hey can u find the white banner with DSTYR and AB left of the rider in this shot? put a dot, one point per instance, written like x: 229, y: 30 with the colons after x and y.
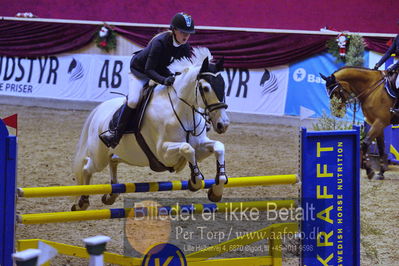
x: 73, y: 77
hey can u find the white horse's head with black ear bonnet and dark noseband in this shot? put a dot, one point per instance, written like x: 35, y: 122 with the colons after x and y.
x: 212, y: 89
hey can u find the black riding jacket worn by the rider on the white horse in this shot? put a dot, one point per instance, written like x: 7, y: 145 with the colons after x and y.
x: 154, y: 59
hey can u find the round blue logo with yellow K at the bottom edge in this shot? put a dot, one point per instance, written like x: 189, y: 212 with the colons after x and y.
x: 164, y: 254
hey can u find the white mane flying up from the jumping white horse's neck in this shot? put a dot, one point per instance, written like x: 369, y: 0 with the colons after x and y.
x: 198, y: 56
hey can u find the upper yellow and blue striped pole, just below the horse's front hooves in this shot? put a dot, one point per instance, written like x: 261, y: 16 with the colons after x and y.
x: 59, y: 191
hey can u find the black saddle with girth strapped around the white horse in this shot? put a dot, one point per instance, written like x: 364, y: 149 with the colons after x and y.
x: 134, y: 127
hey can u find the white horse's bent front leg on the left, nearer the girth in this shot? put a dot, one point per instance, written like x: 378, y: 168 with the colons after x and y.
x: 176, y: 149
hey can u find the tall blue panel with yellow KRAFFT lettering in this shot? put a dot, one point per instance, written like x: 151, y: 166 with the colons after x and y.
x: 330, y: 197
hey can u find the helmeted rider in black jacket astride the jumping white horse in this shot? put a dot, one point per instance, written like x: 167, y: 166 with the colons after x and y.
x: 152, y: 63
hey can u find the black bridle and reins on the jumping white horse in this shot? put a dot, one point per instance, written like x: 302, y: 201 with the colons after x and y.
x: 205, y: 114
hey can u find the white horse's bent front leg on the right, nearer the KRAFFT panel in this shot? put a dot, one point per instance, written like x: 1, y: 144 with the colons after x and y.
x: 215, y: 193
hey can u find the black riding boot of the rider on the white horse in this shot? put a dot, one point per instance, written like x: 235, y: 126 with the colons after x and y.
x: 112, y: 137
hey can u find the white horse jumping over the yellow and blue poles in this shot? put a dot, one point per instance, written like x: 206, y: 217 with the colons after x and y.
x: 173, y: 128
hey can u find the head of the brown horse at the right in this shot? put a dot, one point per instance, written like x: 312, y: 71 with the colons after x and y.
x: 338, y: 95
